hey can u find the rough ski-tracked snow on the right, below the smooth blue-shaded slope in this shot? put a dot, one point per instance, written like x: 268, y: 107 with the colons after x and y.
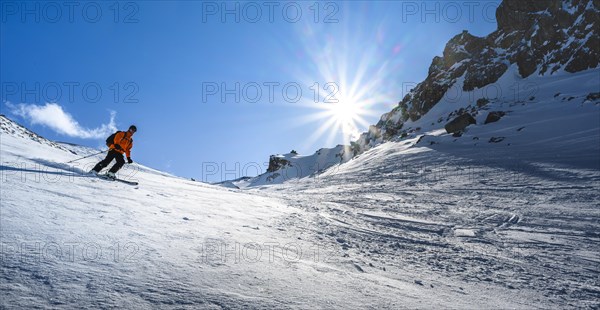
x: 504, y: 229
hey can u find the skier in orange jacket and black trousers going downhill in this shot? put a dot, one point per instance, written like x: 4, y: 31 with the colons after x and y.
x: 121, y: 143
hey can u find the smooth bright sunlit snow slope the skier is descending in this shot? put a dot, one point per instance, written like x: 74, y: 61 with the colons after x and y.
x: 74, y: 241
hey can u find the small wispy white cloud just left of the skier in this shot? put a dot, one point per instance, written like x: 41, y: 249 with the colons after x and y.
x: 53, y: 116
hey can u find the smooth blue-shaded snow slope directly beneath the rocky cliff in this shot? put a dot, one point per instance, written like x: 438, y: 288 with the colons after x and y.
x: 539, y: 112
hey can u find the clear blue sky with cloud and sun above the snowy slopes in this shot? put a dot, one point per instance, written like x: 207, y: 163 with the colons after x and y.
x: 174, y: 69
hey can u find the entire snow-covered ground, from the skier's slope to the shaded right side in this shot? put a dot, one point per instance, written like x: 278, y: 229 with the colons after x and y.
x: 428, y: 221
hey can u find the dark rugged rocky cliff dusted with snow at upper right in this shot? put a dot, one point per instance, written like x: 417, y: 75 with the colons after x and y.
x: 540, y: 37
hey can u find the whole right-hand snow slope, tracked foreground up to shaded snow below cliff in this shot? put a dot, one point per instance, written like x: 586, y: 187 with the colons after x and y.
x: 519, y: 218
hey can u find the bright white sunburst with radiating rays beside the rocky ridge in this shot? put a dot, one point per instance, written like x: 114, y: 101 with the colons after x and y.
x: 353, y: 83
